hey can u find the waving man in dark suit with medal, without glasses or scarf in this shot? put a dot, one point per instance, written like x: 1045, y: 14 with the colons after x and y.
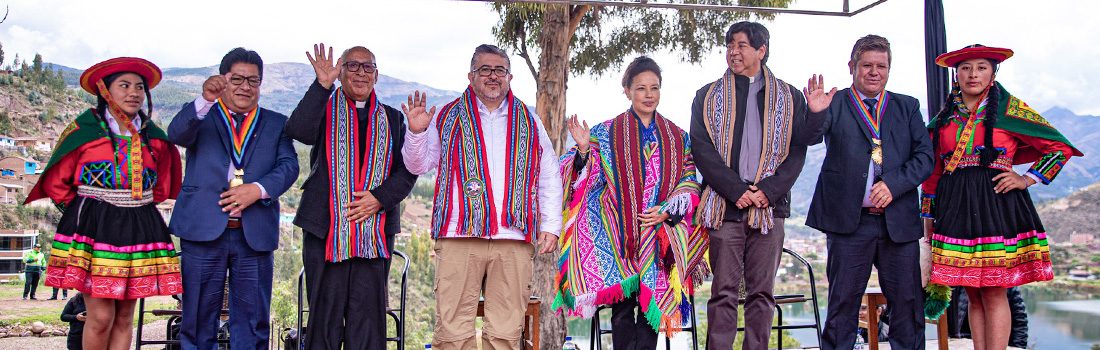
x: 866, y: 202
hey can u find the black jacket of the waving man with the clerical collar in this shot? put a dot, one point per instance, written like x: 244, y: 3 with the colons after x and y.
x: 307, y: 126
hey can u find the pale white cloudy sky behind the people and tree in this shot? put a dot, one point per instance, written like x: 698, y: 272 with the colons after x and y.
x: 431, y: 42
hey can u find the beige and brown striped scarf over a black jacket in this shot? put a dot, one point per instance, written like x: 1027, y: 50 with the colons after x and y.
x: 720, y: 117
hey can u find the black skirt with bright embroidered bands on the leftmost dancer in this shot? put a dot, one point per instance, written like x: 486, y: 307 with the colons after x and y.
x: 107, y: 251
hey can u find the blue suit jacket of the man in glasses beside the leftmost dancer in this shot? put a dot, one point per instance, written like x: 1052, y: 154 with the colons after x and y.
x: 270, y: 161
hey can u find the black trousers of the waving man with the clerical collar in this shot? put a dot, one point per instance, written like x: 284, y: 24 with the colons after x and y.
x: 347, y: 299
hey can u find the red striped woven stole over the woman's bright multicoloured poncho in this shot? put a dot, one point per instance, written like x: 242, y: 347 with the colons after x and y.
x: 629, y: 181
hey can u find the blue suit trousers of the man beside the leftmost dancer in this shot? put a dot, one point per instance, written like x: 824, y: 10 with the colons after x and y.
x: 204, y: 269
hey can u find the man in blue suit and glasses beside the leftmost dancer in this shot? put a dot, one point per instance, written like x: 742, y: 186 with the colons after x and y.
x: 239, y: 162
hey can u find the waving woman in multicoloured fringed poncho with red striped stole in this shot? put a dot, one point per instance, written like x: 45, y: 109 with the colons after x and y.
x: 630, y: 185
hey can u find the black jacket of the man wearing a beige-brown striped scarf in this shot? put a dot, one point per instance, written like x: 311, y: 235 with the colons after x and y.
x: 725, y: 180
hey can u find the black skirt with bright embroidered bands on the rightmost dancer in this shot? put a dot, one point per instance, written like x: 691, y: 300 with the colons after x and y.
x: 985, y: 239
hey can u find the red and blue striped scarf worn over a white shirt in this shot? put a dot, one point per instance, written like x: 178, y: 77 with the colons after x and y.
x: 464, y: 165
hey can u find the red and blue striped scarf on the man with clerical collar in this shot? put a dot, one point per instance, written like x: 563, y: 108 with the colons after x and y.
x: 351, y: 172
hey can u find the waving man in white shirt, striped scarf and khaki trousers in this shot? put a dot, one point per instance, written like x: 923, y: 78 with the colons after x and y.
x: 498, y: 191
